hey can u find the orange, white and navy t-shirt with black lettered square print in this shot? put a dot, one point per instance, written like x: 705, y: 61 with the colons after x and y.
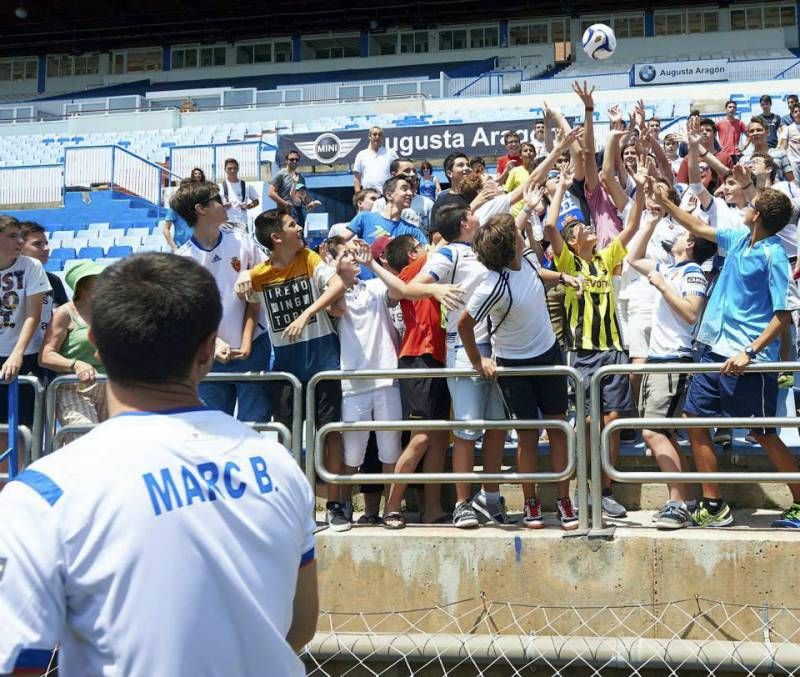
x: 286, y: 293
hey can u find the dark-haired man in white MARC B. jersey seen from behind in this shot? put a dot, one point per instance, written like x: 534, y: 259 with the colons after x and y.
x: 171, y: 539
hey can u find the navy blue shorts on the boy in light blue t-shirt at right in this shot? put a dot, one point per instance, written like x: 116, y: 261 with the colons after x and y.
x: 748, y: 395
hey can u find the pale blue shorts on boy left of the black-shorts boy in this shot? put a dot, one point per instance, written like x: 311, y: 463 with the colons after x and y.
x: 473, y: 398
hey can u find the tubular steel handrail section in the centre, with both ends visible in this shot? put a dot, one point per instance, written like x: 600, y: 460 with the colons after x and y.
x: 580, y: 461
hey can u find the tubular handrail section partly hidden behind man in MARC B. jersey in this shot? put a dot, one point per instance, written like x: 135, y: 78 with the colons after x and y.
x: 296, y: 432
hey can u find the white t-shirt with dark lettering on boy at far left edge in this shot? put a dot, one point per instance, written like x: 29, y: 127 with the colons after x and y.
x: 23, y: 278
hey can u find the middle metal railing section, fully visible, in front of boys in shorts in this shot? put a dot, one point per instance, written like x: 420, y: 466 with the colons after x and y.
x: 575, y: 437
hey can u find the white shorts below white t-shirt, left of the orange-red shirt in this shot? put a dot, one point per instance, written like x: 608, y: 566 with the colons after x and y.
x: 382, y: 404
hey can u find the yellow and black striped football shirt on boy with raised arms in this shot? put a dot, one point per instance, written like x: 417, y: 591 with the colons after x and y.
x: 592, y: 316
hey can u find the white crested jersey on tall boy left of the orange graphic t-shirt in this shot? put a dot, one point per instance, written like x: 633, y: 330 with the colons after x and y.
x: 233, y: 253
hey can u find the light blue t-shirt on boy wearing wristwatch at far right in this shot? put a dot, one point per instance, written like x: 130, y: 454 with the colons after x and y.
x: 751, y: 288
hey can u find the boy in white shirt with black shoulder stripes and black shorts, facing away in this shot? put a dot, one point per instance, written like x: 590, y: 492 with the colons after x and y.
x: 512, y: 298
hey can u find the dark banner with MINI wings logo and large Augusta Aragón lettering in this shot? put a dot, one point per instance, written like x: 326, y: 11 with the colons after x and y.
x: 432, y: 141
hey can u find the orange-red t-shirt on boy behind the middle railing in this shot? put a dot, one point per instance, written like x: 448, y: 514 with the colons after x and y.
x: 424, y: 334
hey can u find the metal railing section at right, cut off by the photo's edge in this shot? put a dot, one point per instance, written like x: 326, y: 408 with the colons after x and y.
x: 601, y: 439
